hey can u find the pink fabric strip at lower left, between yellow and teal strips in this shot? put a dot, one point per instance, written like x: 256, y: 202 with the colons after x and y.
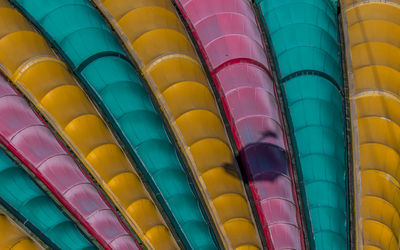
x: 25, y: 135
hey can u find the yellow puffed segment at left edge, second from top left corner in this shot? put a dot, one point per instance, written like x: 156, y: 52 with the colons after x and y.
x: 12, y: 22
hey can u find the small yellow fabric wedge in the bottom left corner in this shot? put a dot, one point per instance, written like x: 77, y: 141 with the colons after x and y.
x: 12, y: 237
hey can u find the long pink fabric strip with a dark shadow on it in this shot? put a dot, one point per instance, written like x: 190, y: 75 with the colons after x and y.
x: 232, y: 45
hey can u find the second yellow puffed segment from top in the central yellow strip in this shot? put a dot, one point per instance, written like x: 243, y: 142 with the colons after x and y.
x: 150, y: 18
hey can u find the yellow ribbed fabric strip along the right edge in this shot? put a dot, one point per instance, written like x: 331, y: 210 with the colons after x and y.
x: 373, y: 30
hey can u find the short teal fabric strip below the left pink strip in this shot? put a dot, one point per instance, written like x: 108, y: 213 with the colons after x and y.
x: 20, y: 192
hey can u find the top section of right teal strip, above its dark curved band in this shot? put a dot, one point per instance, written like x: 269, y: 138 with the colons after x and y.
x: 306, y: 30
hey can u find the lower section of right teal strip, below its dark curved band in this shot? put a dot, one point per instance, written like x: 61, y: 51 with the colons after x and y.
x: 317, y: 115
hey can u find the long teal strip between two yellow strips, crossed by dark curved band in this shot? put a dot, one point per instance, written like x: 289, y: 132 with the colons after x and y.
x: 84, y: 37
